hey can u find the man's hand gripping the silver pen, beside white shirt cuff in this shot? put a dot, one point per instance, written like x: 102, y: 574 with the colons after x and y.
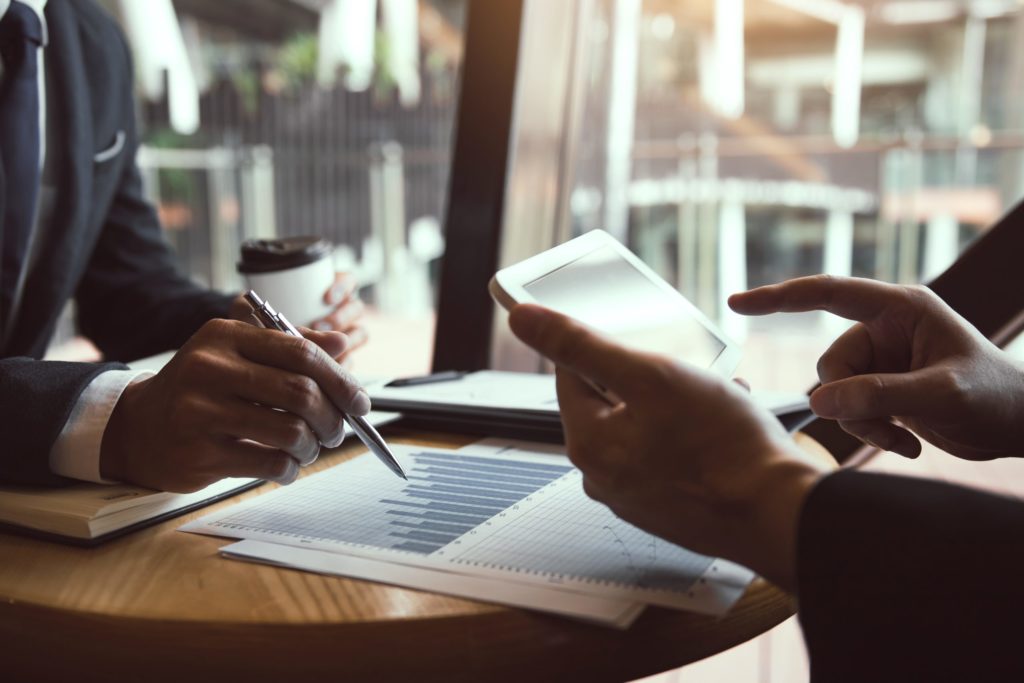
x: 236, y: 401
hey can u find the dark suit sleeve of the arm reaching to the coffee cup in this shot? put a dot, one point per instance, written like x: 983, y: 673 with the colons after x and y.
x: 134, y: 302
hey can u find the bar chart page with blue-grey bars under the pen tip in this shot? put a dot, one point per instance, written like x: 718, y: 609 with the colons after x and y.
x: 447, y: 496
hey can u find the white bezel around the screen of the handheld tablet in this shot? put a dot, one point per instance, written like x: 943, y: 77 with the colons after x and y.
x: 508, y: 287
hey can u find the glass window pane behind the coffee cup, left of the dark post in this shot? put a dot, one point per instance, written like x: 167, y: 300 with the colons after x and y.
x: 327, y: 118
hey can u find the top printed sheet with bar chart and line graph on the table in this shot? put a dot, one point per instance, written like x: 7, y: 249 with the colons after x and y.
x: 518, y: 520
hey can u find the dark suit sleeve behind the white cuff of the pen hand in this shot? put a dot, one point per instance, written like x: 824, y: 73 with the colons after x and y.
x: 46, y: 393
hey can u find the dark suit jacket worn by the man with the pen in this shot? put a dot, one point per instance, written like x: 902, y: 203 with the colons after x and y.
x: 105, y: 247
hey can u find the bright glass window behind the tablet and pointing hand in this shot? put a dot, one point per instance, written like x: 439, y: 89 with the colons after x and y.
x: 735, y: 144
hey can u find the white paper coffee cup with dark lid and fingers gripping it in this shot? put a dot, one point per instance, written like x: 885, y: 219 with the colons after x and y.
x: 297, y: 276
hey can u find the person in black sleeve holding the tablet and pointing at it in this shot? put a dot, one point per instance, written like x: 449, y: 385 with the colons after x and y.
x: 899, y: 579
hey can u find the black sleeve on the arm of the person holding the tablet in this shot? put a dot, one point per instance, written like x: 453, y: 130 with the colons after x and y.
x: 910, y: 580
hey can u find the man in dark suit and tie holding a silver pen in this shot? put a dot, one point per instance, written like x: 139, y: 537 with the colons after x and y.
x: 74, y: 225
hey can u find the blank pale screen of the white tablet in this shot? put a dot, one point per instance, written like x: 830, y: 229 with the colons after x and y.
x: 608, y: 293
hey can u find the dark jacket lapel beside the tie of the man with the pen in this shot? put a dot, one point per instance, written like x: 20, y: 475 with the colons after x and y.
x: 71, y: 154
